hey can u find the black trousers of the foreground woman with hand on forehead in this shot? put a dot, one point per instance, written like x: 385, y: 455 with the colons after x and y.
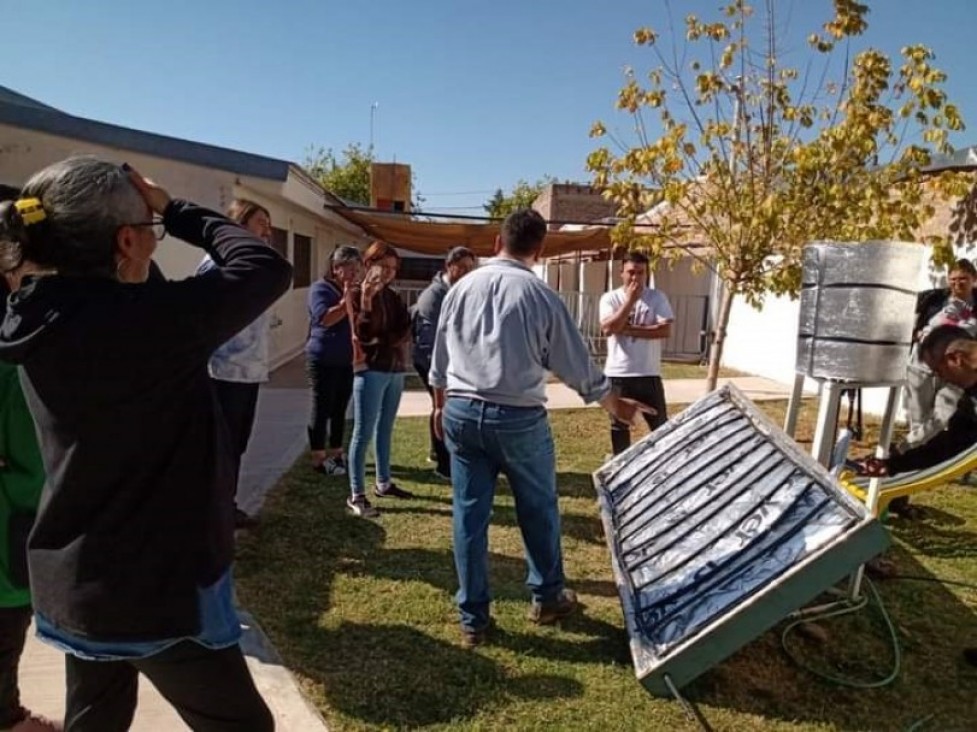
x: 211, y: 690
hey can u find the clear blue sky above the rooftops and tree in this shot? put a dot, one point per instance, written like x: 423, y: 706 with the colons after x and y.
x: 474, y: 96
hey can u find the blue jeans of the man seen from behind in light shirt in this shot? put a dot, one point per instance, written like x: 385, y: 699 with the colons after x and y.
x: 486, y: 439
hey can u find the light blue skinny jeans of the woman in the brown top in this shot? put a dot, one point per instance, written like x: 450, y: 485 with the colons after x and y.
x: 376, y: 397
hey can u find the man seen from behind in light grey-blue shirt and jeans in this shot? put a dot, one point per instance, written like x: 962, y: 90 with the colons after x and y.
x: 501, y: 330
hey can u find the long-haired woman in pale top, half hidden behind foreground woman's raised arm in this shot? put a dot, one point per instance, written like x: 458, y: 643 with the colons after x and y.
x: 239, y: 366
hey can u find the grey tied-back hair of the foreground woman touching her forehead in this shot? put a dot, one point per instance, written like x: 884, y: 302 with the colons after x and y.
x: 85, y: 201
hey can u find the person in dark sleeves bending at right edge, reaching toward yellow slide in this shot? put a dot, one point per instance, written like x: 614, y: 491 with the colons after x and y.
x: 951, y: 352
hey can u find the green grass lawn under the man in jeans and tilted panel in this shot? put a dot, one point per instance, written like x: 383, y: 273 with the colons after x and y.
x: 362, y: 613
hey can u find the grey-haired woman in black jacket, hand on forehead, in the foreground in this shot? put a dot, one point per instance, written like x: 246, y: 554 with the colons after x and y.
x: 130, y: 556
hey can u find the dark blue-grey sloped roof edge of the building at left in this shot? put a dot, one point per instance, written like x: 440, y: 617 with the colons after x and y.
x: 18, y: 110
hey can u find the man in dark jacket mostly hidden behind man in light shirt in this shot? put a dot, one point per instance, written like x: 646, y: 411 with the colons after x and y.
x: 459, y: 262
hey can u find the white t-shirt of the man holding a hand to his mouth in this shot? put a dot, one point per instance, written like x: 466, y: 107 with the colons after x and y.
x: 627, y: 355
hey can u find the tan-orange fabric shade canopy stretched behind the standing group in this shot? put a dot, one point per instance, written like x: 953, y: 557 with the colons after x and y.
x: 436, y: 238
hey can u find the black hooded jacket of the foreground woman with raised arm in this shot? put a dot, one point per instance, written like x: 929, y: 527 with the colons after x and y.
x: 137, y: 512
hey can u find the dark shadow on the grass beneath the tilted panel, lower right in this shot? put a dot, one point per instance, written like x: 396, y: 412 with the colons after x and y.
x: 931, y: 623
